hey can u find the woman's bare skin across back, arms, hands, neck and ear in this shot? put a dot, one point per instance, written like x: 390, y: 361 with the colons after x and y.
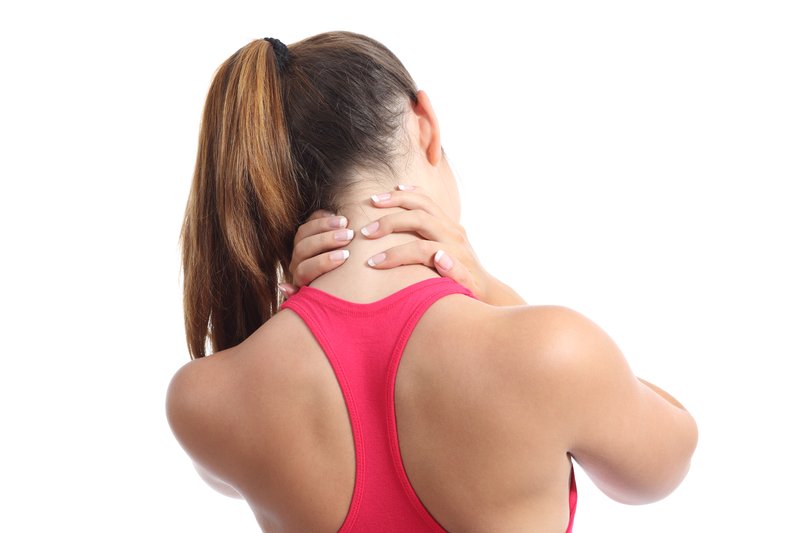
x: 493, y: 397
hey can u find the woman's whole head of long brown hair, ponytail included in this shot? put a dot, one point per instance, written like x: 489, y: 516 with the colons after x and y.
x: 279, y: 140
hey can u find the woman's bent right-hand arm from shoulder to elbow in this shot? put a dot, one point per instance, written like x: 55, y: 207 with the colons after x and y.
x: 634, y: 444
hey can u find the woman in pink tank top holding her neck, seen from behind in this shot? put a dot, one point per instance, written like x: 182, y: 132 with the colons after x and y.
x: 384, y: 396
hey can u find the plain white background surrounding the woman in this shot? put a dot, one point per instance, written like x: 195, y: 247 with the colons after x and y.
x: 637, y: 161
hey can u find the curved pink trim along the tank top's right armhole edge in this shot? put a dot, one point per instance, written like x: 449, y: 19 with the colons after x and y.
x: 394, y: 444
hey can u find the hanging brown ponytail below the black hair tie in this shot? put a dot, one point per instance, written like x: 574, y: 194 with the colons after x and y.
x: 242, y: 211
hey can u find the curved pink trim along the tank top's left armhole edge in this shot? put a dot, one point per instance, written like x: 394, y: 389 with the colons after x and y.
x: 352, y: 410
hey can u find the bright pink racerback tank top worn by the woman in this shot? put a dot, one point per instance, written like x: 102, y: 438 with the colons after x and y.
x: 364, y: 344
